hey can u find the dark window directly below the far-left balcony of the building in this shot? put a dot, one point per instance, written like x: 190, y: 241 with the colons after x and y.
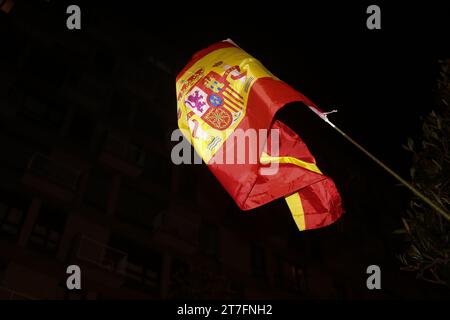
x: 47, y: 230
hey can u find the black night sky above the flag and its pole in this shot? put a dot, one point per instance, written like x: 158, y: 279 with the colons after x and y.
x: 381, y: 81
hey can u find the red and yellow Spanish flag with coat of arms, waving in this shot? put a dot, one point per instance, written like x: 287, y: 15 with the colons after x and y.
x: 226, y: 102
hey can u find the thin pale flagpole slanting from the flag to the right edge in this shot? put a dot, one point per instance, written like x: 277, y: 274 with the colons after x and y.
x: 381, y: 164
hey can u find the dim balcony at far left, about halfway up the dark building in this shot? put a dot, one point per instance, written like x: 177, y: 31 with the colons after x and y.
x: 50, y: 178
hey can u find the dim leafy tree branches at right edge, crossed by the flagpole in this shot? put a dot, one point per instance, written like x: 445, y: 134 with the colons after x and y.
x: 426, y: 233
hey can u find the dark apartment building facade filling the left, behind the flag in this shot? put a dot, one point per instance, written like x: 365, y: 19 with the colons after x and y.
x: 86, y: 179
